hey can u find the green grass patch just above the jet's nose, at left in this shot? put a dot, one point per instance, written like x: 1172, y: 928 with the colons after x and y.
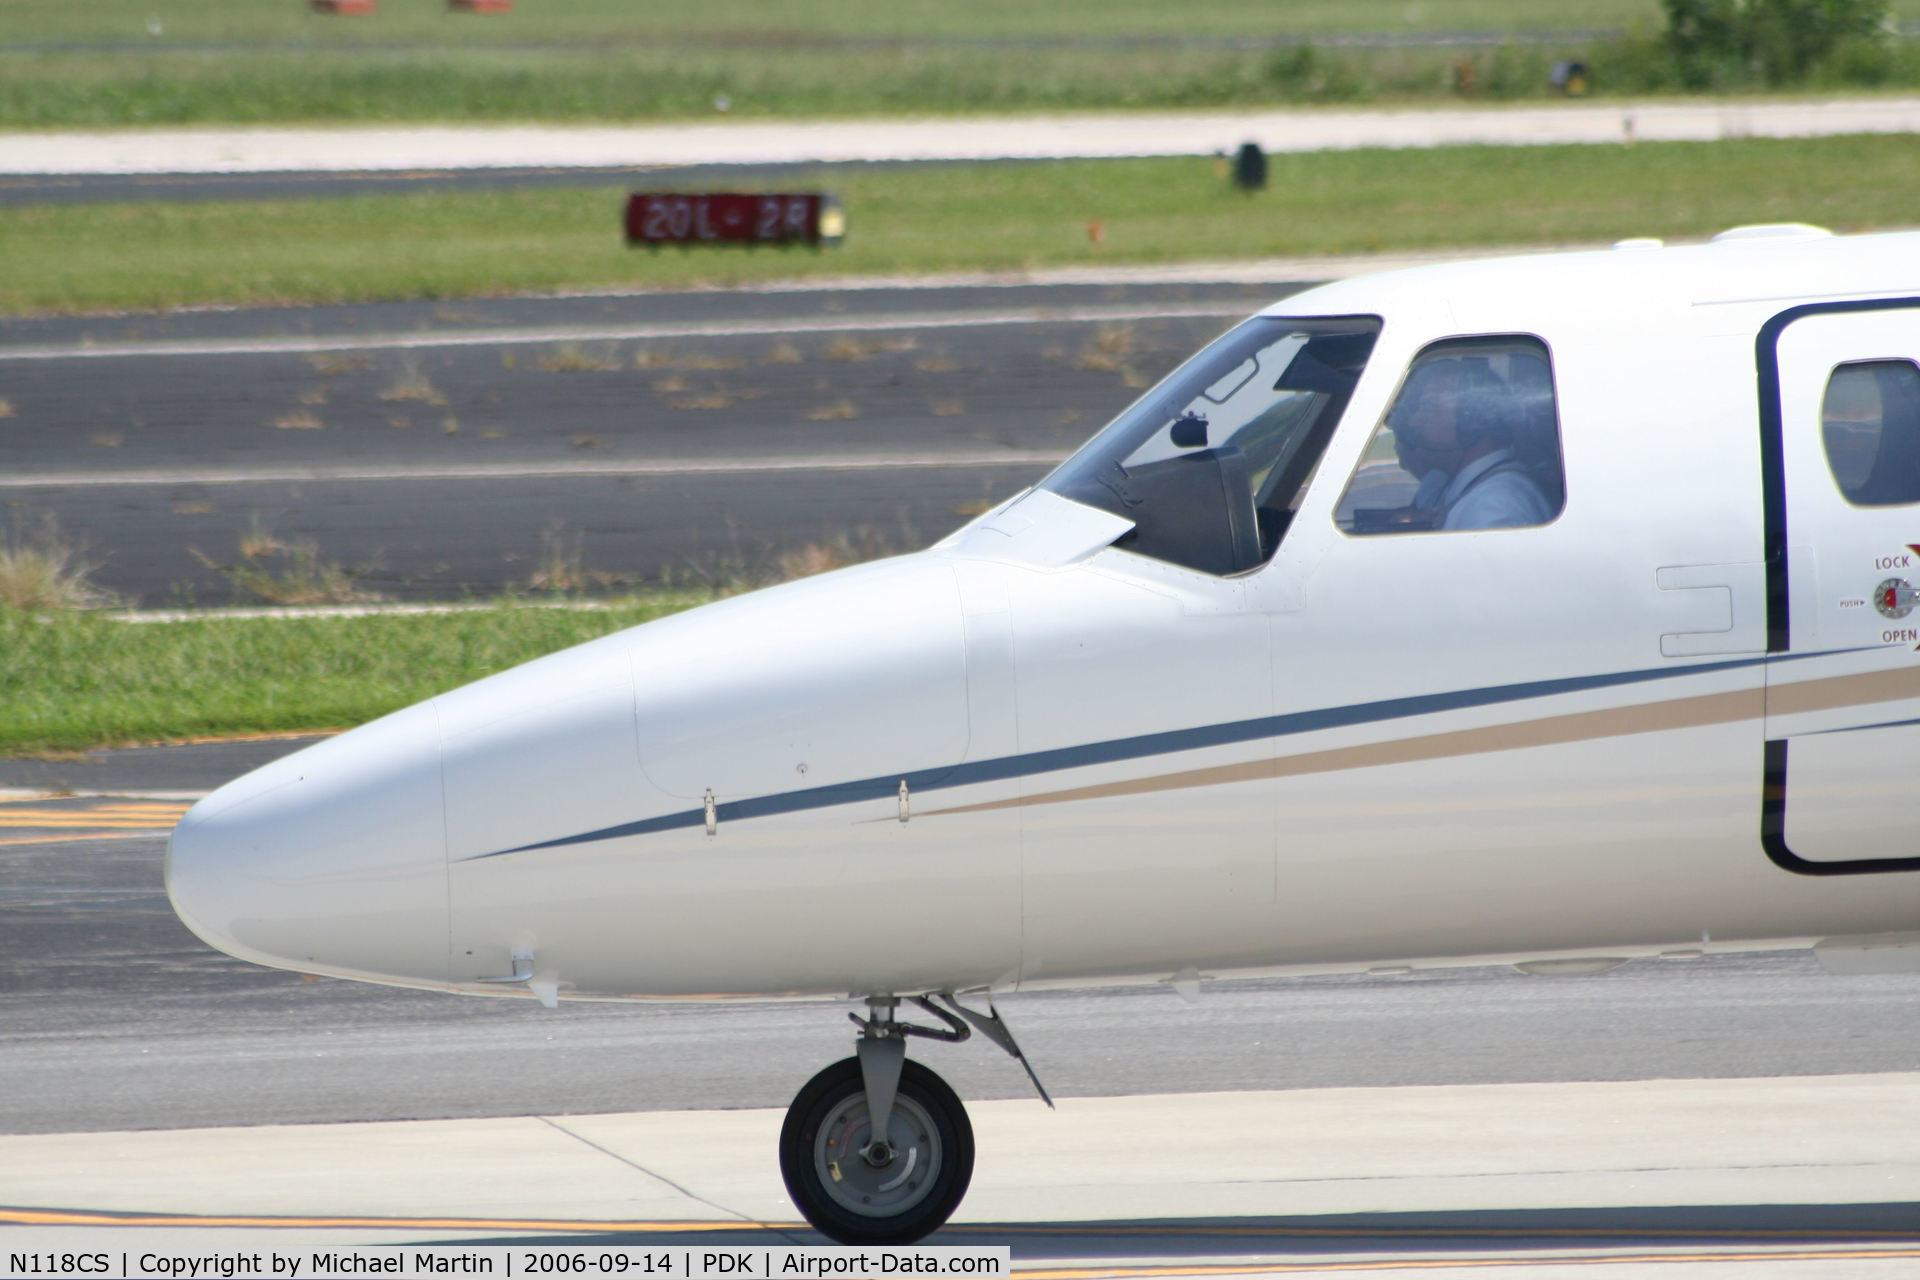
x: 70, y: 680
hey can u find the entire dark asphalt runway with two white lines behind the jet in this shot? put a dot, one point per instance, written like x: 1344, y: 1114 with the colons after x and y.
x: 494, y: 454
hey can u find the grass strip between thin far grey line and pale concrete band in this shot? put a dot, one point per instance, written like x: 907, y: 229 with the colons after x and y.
x: 671, y: 82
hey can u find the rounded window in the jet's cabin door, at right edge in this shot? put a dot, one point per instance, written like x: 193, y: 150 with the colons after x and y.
x: 1871, y: 425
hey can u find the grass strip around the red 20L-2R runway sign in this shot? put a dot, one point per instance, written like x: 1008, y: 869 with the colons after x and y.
x: 961, y: 218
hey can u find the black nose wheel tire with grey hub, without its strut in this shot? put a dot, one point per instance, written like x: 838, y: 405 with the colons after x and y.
x: 859, y: 1187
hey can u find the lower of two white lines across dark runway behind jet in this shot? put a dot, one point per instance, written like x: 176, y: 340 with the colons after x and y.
x: 527, y: 471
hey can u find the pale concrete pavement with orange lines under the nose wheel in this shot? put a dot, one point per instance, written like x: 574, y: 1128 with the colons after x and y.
x: 1510, y: 1175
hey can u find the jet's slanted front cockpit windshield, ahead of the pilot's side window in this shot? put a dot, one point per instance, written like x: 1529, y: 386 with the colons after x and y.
x: 1212, y: 463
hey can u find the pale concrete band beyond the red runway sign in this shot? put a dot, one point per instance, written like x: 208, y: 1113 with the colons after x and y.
x: 1034, y: 137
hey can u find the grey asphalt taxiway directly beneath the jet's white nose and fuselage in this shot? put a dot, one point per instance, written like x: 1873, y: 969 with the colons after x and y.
x: 118, y: 1018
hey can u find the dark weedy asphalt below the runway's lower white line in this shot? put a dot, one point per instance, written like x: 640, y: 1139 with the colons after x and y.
x: 435, y: 540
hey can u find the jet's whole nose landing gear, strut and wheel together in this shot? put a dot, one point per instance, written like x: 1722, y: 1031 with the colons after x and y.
x: 878, y: 1149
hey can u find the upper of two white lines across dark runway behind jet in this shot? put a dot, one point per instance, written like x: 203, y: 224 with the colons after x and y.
x: 625, y: 333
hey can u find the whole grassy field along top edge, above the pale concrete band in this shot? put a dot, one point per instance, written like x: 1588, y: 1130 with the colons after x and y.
x: 143, y: 62
